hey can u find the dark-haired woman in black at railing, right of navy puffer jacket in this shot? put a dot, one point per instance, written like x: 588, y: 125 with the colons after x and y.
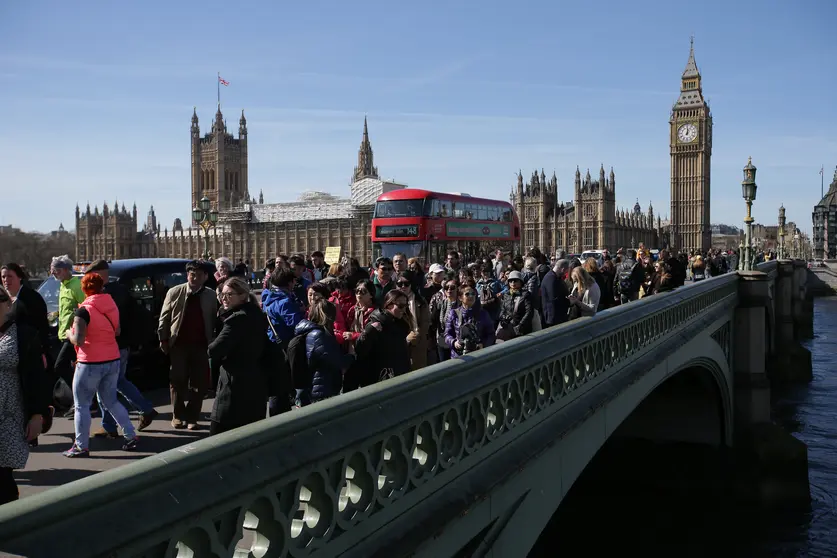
x: 382, y: 347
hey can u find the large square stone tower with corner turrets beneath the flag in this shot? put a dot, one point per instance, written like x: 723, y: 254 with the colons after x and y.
x: 219, y: 163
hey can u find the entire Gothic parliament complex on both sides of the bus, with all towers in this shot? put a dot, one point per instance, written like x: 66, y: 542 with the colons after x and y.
x: 252, y: 229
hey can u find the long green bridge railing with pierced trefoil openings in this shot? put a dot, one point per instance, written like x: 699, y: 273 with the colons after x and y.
x: 330, y: 478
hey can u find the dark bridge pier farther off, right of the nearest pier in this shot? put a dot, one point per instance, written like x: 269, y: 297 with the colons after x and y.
x: 791, y: 362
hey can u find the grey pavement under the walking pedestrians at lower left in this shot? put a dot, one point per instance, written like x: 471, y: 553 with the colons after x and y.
x: 47, y: 468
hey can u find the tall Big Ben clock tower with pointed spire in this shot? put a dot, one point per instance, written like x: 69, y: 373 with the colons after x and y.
x: 691, y: 151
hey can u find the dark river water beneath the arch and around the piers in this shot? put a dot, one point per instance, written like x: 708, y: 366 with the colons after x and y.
x: 682, y: 500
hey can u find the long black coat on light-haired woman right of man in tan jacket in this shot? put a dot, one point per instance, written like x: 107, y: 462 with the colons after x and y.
x: 243, y: 383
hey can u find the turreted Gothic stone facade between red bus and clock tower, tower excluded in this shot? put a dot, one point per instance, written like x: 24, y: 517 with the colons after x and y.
x: 590, y: 222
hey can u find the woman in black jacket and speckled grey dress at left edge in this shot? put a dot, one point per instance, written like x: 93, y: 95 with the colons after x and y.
x: 25, y: 395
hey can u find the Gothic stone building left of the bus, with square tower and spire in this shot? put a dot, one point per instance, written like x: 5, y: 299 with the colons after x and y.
x: 247, y: 230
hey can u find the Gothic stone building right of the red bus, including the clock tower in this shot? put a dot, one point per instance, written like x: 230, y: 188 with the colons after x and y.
x: 591, y: 220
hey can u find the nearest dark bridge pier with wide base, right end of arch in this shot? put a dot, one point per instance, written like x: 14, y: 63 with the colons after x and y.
x: 774, y: 464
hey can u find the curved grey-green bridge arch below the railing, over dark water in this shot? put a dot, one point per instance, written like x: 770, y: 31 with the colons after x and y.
x: 534, y: 494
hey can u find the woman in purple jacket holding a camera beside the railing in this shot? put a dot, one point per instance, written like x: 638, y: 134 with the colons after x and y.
x: 468, y: 328
